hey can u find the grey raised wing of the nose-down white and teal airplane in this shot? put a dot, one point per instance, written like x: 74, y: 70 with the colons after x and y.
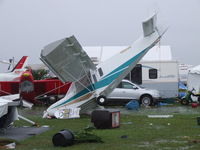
x: 67, y: 60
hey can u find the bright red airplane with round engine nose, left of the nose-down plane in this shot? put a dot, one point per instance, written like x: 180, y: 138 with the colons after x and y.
x: 35, y: 91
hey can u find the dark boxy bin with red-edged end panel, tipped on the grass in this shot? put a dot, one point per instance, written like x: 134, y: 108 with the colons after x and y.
x: 106, y: 118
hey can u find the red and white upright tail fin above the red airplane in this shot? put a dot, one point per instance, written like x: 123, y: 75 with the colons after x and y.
x: 21, y: 65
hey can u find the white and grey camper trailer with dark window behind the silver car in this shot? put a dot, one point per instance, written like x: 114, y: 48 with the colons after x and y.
x: 159, y: 75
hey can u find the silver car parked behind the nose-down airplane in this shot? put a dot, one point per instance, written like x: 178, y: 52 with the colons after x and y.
x: 127, y: 91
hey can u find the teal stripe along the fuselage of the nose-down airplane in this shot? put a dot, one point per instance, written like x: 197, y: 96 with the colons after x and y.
x: 106, y: 80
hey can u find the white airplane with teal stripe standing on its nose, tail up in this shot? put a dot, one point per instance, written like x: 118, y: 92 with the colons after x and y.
x: 70, y: 63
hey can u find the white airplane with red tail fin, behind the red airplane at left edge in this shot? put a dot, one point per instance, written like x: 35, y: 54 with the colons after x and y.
x: 17, y: 71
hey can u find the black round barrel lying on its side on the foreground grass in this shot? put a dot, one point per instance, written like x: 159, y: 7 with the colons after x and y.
x: 63, y: 138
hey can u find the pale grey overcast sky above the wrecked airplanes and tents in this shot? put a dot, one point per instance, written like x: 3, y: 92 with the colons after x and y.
x: 26, y: 26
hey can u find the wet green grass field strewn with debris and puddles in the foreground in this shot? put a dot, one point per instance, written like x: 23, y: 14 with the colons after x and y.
x: 180, y: 132
